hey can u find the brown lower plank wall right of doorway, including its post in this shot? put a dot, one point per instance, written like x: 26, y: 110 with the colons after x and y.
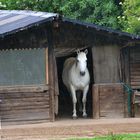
x: 108, y: 101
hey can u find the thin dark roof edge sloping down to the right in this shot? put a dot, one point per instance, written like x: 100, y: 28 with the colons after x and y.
x: 102, y: 28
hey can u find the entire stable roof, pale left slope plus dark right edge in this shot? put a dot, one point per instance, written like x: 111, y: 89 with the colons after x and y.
x: 12, y: 21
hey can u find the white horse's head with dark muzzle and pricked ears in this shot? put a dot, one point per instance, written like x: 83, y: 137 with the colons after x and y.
x: 81, y: 61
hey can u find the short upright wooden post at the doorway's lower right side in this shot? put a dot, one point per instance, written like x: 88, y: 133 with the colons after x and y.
x: 96, y: 104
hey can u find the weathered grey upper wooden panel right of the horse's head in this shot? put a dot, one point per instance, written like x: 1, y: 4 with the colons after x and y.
x: 106, y: 64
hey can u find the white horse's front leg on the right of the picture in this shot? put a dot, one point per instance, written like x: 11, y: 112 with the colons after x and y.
x: 84, y: 99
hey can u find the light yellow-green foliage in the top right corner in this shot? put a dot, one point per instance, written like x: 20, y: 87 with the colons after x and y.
x: 131, y: 16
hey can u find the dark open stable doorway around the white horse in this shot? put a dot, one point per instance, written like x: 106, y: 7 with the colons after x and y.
x: 65, y: 101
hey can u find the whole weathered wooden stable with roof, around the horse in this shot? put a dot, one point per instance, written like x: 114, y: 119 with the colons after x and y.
x: 33, y: 48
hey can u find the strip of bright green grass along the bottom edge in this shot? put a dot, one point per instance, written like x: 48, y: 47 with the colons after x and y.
x: 113, y: 137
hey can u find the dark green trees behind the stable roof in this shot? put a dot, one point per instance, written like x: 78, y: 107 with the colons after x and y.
x: 102, y: 12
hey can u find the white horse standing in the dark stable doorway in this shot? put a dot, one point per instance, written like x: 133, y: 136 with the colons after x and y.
x: 76, y: 77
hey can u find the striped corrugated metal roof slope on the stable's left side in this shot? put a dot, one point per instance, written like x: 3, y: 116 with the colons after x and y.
x: 16, y: 20
